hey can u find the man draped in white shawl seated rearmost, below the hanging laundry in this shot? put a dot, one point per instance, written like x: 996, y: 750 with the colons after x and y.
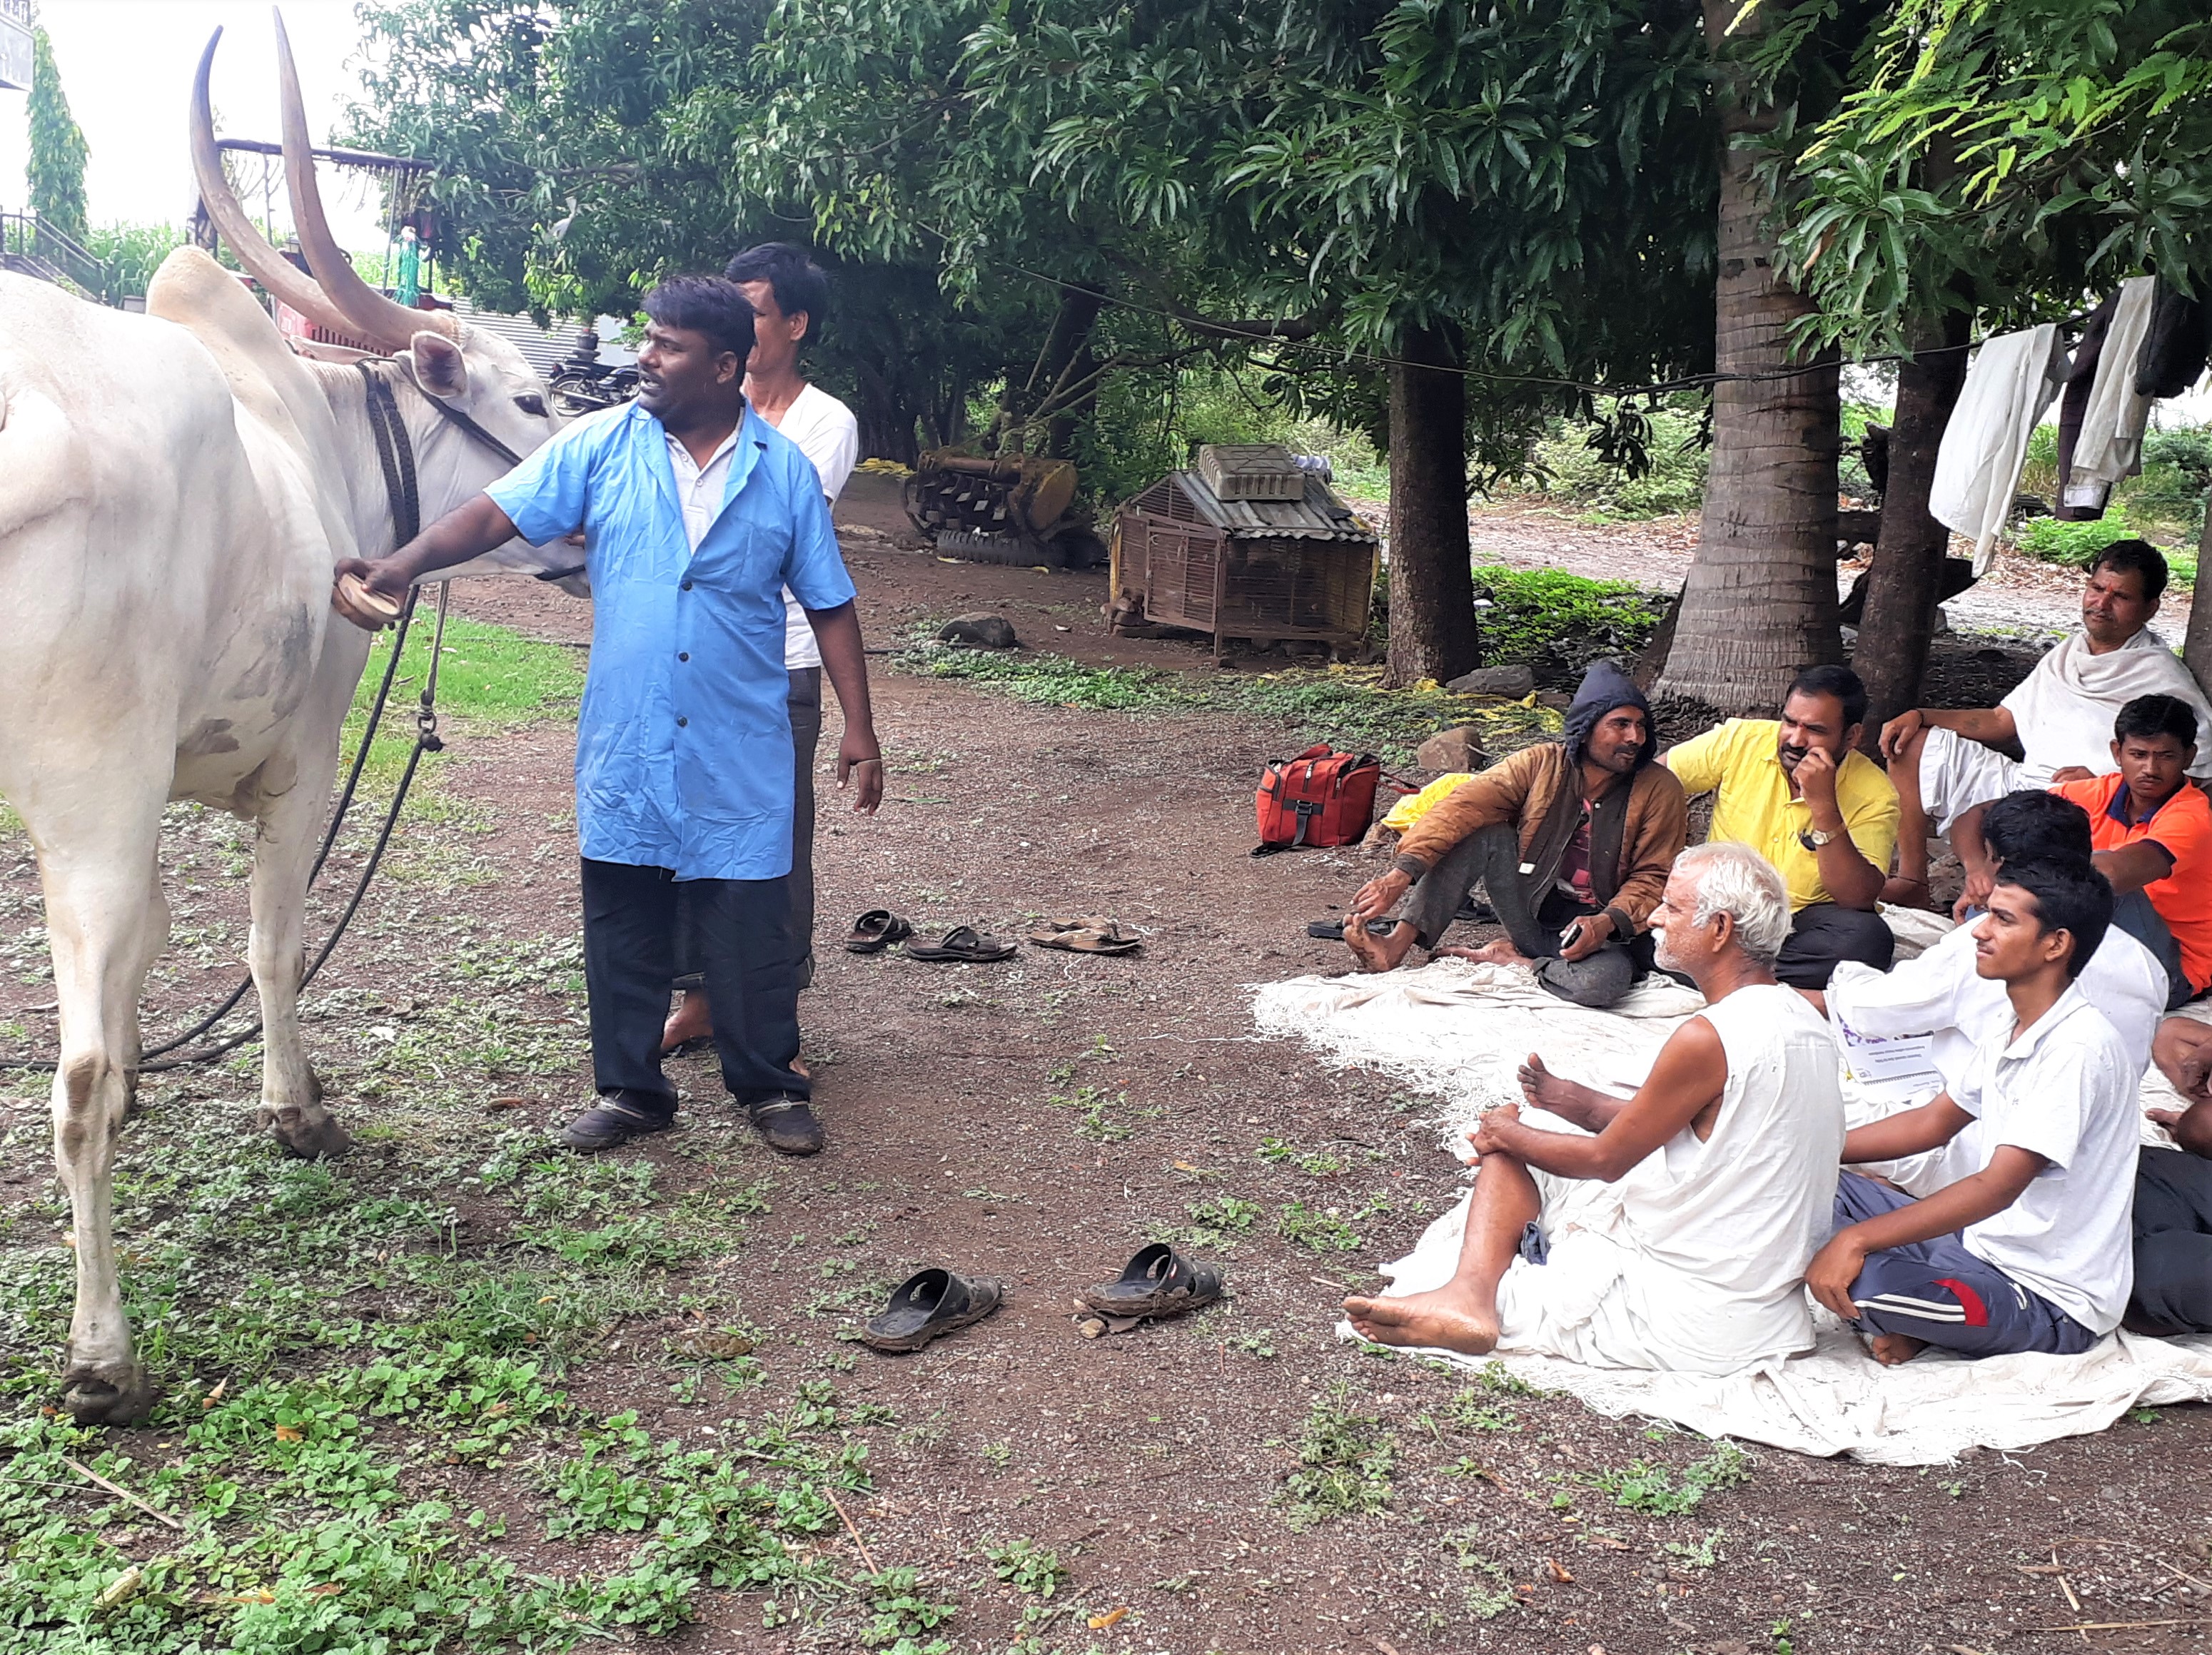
x: 2060, y: 716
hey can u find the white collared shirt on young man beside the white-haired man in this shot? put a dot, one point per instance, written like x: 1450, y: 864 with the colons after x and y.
x: 2065, y: 1092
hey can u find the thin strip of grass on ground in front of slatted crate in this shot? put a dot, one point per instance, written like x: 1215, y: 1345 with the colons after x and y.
x: 1342, y: 705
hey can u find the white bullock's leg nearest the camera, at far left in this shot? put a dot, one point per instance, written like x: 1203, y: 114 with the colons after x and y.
x: 105, y: 930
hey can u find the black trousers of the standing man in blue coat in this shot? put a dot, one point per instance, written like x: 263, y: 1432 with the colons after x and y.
x: 744, y: 937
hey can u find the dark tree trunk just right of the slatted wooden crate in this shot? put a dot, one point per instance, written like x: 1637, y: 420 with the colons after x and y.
x: 1432, y: 581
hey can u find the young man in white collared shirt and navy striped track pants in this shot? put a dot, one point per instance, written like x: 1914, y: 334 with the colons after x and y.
x: 2032, y: 1251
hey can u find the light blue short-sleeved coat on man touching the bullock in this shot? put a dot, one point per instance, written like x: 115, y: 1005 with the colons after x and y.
x: 685, y: 745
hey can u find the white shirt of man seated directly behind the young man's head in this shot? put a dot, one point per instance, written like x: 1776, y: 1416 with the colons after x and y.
x: 1941, y: 995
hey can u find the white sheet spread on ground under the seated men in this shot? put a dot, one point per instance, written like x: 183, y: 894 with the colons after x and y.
x: 1459, y: 1032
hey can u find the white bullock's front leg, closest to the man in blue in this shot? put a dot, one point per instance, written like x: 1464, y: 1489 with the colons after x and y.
x: 284, y: 849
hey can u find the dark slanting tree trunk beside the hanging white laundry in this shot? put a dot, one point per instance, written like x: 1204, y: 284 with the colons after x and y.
x: 1908, y: 559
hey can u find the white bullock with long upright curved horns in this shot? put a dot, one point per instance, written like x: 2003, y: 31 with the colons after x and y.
x: 174, y: 495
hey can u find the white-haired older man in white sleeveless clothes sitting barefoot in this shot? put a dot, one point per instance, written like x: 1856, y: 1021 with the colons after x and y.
x: 1671, y: 1229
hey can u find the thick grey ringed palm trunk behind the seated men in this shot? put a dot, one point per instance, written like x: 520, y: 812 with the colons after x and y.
x: 1762, y: 596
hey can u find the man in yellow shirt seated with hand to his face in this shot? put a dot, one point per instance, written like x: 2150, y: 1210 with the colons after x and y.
x: 1802, y: 795
